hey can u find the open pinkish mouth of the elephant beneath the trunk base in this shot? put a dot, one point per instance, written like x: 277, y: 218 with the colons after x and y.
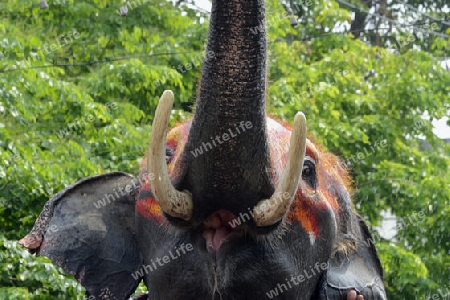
x: 220, y: 228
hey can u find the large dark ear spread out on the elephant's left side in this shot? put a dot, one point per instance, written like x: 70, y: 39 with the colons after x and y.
x: 88, y: 229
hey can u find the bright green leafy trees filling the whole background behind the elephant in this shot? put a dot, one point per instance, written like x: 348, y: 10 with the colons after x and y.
x: 79, y: 84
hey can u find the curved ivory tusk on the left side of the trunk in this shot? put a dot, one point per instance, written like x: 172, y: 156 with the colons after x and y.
x: 174, y: 203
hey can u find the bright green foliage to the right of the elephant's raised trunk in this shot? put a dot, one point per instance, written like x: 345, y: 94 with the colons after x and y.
x: 352, y: 115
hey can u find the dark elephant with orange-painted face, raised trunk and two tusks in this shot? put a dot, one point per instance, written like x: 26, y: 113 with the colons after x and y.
x: 229, y: 205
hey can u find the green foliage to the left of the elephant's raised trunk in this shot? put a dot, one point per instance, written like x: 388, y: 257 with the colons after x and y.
x: 59, y: 125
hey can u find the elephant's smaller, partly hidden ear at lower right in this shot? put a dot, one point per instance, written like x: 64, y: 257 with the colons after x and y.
x: 359, y: 270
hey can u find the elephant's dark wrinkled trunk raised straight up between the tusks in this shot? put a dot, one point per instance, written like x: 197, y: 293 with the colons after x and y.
x: 229, y: 126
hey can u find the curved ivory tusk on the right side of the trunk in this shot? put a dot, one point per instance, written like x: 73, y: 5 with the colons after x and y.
x: 270, y: 211
